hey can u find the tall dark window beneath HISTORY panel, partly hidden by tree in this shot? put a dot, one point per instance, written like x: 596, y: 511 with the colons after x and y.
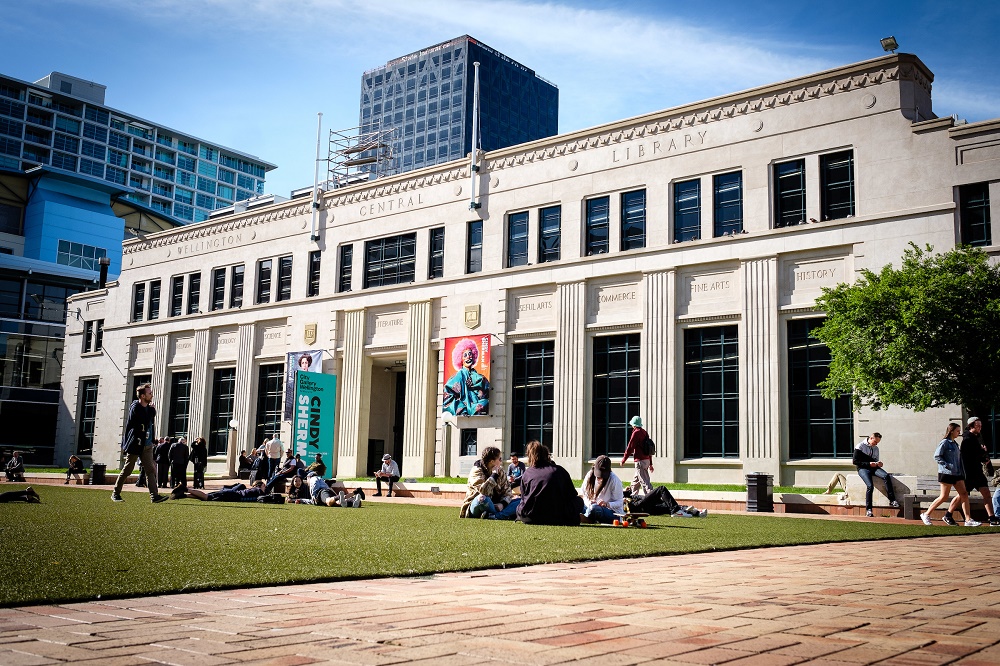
x: 818, y: 427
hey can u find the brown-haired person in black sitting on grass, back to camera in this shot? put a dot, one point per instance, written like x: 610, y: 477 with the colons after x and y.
x: 548, y: 496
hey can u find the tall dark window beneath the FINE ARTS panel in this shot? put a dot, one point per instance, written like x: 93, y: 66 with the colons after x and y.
x: 711, y: 393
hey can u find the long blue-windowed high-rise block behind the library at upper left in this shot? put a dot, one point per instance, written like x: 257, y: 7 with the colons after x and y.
x: 62, y: 121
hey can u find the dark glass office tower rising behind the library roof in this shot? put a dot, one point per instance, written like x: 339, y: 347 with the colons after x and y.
x: 426, y: 100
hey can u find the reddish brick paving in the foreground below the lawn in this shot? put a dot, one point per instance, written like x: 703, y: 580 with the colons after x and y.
x: 920, y: 602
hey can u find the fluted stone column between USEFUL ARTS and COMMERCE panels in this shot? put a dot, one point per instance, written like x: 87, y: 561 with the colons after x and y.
x: 571, y: 372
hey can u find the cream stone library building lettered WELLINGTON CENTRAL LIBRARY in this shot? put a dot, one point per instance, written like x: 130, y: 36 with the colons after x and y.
x: 666, y: 265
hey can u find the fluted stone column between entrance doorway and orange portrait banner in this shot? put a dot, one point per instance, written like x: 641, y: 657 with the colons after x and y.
x: 421, y: 377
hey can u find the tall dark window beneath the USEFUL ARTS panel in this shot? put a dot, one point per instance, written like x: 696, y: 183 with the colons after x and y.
x: 534, y: 399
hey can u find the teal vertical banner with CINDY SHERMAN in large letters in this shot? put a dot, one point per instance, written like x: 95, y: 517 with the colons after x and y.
x: 315, y: 409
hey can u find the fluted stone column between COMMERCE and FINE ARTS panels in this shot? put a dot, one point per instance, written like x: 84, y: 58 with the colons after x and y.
x: 655, y: 392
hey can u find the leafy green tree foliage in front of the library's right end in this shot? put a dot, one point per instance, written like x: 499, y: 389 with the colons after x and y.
x: 923, y: 335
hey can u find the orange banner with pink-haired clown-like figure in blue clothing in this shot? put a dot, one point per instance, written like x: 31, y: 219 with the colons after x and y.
x: 467, y: 375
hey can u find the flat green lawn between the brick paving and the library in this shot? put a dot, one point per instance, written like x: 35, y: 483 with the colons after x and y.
x: 78, y: 545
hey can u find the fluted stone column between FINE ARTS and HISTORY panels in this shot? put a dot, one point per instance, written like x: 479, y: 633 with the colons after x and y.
x: 760, y: 428
